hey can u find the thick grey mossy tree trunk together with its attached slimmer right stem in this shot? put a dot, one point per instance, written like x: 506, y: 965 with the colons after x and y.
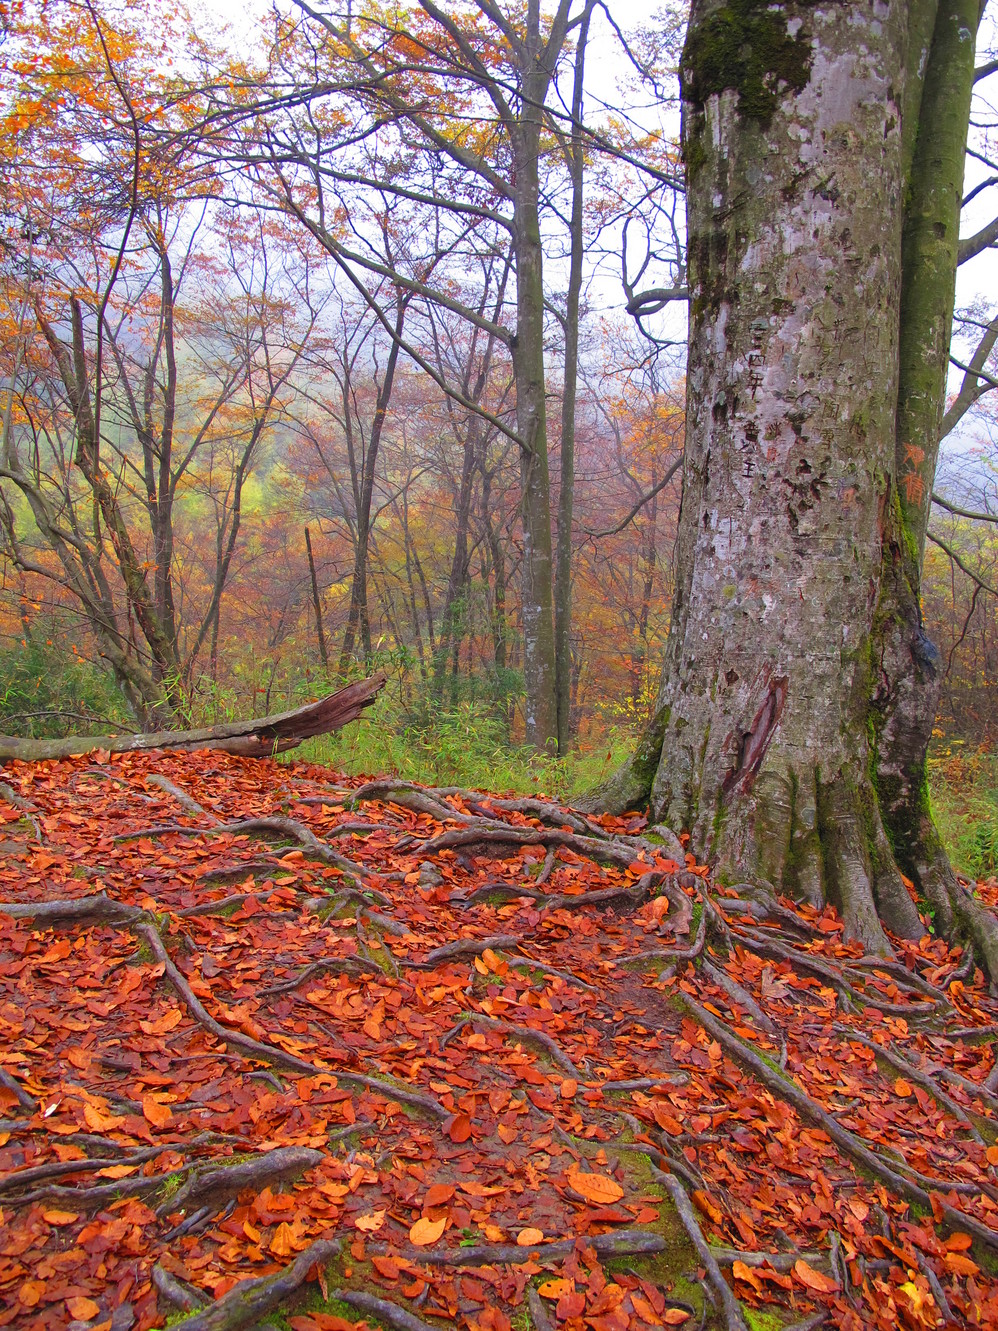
x: 824, y: 152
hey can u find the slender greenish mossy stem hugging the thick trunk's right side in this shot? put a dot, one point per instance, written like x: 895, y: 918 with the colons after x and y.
x: 910, y: 666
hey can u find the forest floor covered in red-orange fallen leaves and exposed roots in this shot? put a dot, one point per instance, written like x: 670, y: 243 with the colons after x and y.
x: 284, y: 1049
